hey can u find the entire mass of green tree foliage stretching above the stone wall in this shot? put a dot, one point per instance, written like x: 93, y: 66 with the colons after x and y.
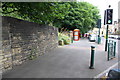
x: 70, y: 15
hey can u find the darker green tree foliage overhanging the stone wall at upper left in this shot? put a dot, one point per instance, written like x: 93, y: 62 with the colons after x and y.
x: 40, y: 12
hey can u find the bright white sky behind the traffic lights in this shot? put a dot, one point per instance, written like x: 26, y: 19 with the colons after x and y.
x: 103, y: 5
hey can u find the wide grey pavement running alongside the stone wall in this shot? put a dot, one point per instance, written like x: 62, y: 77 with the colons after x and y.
x: 69, y: 61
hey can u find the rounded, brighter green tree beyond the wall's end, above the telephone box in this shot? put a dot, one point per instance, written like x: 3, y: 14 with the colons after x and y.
x: 81, y: 15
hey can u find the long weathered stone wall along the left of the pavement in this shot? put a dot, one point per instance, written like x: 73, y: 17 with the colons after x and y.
x: 23, y: 40
